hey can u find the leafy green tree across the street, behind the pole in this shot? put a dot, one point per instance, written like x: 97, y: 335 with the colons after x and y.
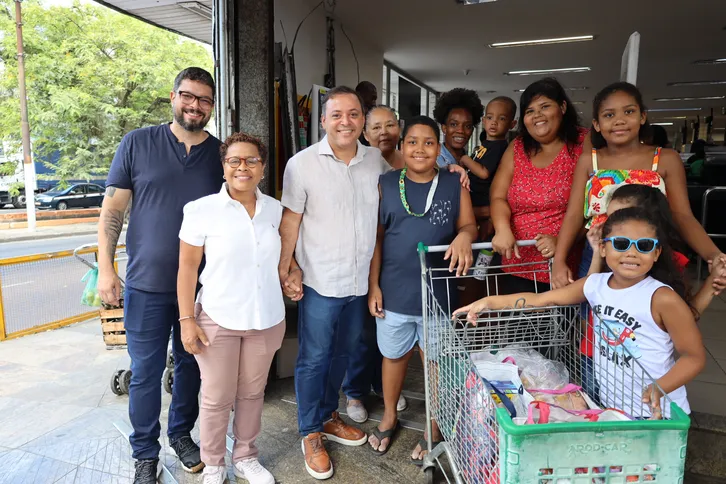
x: 92, y: 76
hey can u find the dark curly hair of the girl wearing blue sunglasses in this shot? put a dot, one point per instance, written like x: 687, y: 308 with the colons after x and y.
x: 664, y: 269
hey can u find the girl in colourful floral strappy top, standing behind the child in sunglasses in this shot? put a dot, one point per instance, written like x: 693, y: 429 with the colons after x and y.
x: 621, y: 155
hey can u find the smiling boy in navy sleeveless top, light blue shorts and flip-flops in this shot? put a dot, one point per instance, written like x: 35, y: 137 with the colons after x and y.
x: 419, y: 203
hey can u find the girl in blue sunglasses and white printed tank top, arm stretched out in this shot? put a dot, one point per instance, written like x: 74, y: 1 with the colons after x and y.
x: 646, y: 286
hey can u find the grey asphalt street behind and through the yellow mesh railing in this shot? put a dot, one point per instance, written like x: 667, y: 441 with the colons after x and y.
x: 46, y: 290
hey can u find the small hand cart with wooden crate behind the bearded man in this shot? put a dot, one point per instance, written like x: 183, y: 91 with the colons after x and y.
x: 114, y: 333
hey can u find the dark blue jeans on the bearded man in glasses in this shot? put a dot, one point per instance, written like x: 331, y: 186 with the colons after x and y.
x: 149, y: 320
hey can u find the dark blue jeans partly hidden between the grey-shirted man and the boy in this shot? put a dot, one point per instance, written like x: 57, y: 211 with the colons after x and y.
x: 364, y: 365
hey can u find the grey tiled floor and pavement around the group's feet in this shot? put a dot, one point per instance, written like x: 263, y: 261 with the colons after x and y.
x: 57, y: 415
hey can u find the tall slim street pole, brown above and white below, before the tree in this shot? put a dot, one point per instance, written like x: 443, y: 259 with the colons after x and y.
x: 25, y: 127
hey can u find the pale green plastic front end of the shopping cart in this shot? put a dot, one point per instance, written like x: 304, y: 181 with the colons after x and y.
x: 593, y: 452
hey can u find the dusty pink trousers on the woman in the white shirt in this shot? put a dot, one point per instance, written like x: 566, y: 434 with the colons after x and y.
x: 234, y: 369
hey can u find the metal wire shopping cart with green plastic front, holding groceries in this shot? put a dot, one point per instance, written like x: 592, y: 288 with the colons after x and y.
x: 485, y: 445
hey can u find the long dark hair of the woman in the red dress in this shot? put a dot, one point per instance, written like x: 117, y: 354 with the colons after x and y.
x: 549, y: 87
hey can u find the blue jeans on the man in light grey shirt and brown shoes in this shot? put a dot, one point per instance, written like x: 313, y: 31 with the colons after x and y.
x: 329, y: 330
